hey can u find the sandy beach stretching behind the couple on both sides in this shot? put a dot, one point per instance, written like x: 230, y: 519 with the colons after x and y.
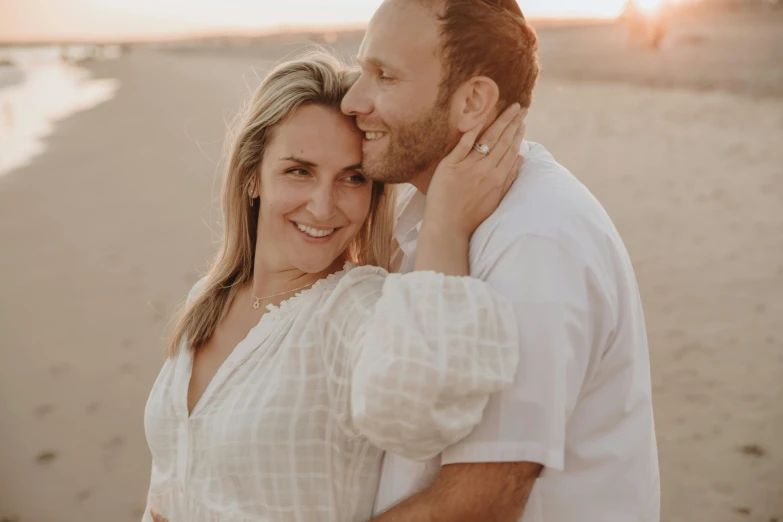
x: 103, y: 234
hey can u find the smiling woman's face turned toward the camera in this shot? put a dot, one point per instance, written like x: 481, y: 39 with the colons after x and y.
x: 314, y: 198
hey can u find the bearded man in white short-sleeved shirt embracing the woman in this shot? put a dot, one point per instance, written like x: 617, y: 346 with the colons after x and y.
x: 574, y: 440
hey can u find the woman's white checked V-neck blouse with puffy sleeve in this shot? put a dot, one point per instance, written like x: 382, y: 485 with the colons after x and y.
x: 293, y: 425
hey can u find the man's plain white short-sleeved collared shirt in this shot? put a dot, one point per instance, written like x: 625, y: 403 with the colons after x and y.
x: 581, y: 404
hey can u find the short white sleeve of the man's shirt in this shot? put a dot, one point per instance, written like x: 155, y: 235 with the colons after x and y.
x: 551, y: 289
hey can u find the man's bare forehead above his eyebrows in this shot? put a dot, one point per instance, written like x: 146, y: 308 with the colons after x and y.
x: 402, y: 32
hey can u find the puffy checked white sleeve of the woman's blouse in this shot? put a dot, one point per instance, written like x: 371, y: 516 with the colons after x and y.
x: 424, y: 352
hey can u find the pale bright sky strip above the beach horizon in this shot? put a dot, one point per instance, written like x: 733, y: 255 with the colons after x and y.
x: 118, y: 19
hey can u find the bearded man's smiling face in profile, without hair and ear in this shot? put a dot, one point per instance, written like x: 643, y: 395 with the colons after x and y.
x: 407, y: 131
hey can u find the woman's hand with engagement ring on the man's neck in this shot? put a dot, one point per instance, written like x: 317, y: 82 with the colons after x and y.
x: 468, y: 186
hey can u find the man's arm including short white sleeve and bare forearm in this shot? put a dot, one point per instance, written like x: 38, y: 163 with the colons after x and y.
x: 489, y: 475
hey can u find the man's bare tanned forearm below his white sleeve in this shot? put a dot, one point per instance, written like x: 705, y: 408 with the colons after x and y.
x: 486, y: 492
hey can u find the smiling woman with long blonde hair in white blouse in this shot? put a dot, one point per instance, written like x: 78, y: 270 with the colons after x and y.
x: 272, y: 407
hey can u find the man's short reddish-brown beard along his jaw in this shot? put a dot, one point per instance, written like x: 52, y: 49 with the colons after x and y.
x: 413, y: 148
